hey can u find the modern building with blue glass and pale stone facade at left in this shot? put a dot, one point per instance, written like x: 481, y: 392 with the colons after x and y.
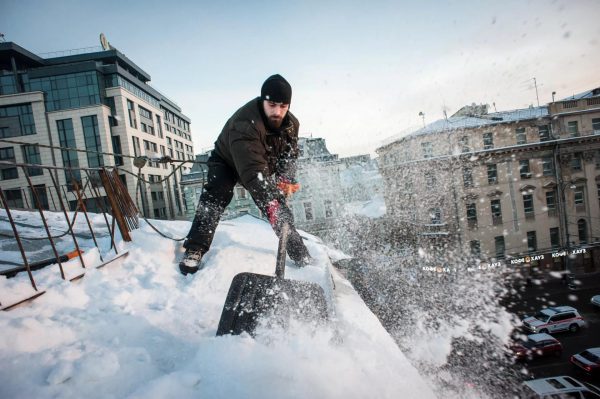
x: 99, y: 101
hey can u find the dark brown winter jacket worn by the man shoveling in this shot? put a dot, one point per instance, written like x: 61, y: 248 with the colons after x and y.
x: 256, y: 153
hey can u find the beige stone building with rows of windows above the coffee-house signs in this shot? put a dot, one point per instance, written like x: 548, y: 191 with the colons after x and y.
x: 518, y: 186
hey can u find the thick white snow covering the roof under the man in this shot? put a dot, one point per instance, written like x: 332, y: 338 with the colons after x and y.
x: 139, y: 329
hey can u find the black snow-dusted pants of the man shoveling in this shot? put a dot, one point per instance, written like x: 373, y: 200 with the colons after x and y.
x: 218, y: 193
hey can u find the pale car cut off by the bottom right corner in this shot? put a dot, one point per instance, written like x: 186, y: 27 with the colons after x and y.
x: 559, y: 387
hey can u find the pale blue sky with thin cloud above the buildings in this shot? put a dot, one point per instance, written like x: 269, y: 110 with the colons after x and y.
x: 361, y: 71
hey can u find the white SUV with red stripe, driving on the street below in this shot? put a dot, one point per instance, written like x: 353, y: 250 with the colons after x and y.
x: 554, y: 319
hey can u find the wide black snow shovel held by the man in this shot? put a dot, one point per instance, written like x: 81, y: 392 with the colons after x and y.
x: 253, y: 297
